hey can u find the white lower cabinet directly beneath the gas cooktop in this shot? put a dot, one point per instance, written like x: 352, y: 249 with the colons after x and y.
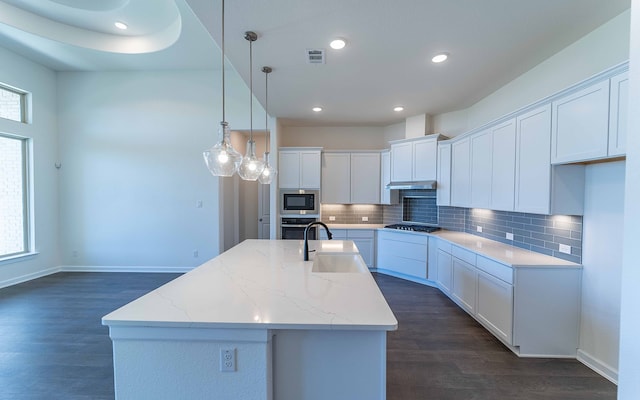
x: 403, y: 253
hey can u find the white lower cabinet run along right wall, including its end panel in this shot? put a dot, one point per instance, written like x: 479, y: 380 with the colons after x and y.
x: 534, y: 310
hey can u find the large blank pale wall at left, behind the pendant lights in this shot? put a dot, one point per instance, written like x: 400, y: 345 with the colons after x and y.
x: 132, y: 169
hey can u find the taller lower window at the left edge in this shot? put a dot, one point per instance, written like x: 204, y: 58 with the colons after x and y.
x: 14, y: 203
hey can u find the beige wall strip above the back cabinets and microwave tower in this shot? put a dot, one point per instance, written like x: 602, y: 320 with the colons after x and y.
x: 334, y: 137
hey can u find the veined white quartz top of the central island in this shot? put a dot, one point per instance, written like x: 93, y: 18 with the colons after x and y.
x: 264, y: 284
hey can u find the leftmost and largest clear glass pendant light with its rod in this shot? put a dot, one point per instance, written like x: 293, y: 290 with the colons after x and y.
x: 222, y: 159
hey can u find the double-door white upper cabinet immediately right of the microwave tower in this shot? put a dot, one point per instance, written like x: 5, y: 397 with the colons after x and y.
x: 351, y: 178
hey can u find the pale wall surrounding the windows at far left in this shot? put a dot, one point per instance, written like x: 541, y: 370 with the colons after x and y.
x: 41, y: 83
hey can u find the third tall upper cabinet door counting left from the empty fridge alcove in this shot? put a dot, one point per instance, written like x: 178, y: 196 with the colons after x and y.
x: 481, y: 145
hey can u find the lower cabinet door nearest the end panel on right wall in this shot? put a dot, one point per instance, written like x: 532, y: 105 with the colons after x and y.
x: 495, y: 306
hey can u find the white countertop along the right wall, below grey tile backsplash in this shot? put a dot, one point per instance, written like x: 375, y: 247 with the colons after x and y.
x: 502, y: 253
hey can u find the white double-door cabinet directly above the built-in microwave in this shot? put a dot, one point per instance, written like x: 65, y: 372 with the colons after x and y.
x: 299, y: 168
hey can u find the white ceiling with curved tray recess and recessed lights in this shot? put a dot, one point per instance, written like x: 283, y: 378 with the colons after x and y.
x: 386, y: 61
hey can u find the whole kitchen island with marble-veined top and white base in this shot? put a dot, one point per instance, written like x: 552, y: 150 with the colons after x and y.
x: 258, y: 310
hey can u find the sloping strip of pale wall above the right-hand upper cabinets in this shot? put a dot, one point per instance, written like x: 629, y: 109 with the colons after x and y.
x: 604, y: 47
